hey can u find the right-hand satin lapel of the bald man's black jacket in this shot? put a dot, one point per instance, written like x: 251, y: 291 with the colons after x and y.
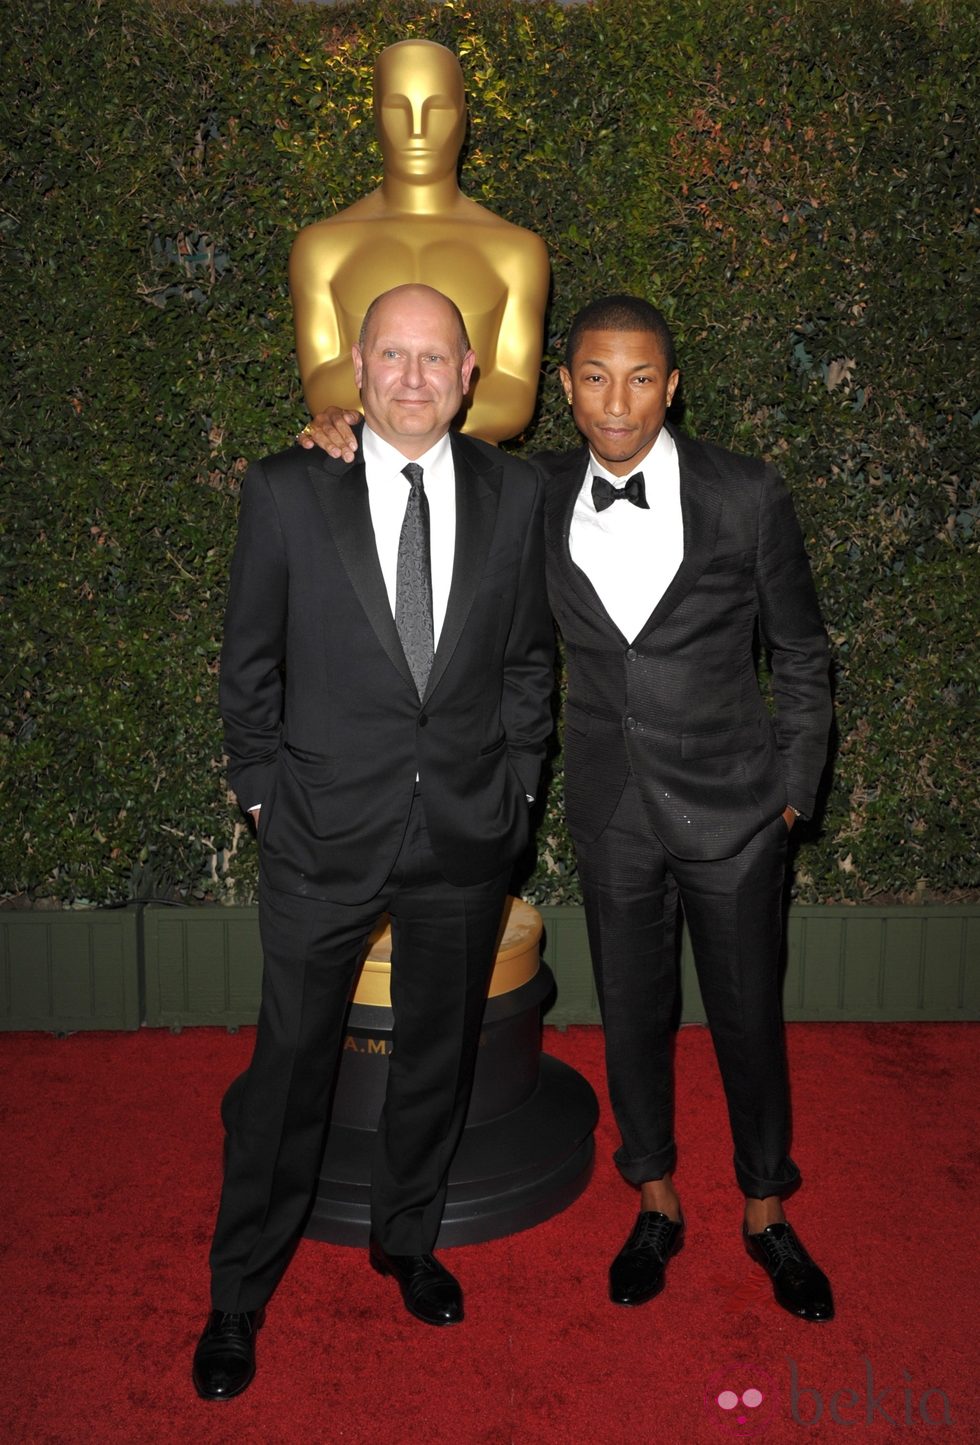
x: 478, y: 495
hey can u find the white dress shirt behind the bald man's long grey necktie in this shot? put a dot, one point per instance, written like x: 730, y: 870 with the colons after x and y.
x: 388, y: 492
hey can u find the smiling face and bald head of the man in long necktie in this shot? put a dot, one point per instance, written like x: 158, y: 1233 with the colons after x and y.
x: 413, y: 368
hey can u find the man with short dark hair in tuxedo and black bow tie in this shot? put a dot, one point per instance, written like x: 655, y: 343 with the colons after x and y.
x: 667, y: 560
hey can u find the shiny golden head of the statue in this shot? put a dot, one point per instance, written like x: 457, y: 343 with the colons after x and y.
x: 420, y: 111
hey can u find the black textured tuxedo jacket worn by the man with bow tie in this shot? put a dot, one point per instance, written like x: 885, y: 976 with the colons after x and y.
x: 680, y: 704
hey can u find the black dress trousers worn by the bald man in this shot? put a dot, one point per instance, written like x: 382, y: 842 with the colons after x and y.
x: 443, y: 950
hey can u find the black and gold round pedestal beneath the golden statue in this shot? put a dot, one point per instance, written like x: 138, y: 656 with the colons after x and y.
x: 527, y: 1151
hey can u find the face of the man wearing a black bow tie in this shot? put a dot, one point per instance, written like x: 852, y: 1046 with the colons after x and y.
x: 621, y: 389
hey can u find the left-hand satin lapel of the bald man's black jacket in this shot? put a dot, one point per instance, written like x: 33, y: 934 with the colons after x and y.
x: 342, y: 492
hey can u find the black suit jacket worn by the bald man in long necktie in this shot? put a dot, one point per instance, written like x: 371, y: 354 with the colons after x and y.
x: 324, y: 726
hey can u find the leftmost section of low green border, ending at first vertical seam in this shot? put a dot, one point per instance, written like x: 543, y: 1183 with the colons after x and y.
x: 69, y: 970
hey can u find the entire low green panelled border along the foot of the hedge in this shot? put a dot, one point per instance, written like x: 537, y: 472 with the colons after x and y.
x: 93, y: 970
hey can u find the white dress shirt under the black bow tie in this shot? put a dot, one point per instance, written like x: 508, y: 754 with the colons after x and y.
x: 627, y: 553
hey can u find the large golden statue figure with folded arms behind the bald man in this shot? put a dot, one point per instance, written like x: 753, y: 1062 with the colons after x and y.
x: 420, y: 228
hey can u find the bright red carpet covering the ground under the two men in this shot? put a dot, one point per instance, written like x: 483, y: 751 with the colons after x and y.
x: 111, y: 1163
